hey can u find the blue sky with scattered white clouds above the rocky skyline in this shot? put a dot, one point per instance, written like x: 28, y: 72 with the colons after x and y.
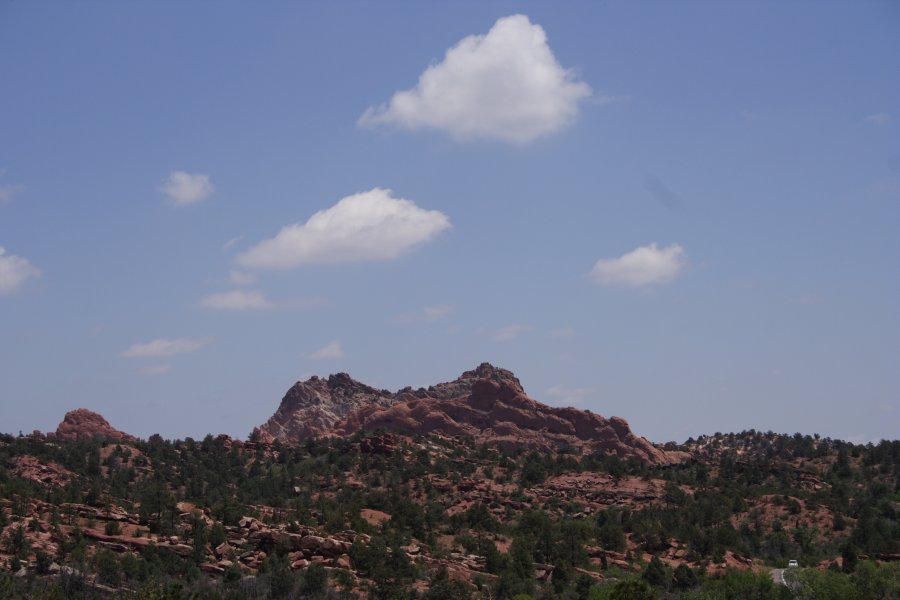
x: 682, y: 214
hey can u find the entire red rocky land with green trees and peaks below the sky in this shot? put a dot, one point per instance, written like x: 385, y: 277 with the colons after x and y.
x: 466, y: 489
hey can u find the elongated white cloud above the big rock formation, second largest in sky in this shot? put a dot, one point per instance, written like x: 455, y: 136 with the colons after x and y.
x: 369, y: 226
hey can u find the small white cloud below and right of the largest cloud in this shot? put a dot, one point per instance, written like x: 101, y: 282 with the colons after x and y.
x: 643, y: 266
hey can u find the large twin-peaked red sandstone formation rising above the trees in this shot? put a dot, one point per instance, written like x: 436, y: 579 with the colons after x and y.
x: 486, y: 403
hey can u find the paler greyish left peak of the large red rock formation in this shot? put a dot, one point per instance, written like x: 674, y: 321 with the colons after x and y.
x: 312, y: 407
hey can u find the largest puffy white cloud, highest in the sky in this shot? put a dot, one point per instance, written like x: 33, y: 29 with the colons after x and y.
x: 504, y: 85
